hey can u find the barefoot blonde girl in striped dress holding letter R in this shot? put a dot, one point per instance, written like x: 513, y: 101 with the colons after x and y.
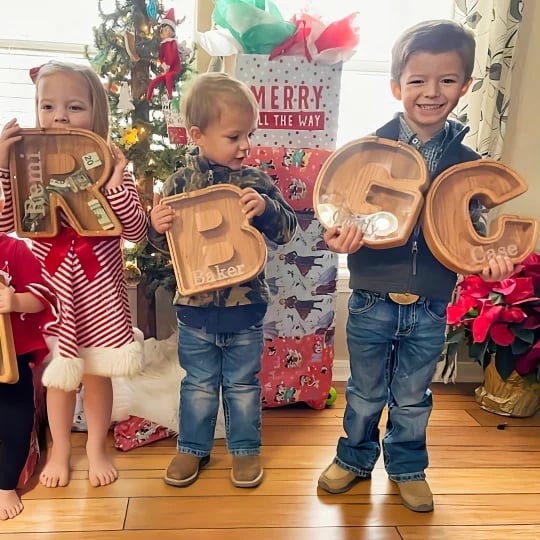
x: 95, y: 339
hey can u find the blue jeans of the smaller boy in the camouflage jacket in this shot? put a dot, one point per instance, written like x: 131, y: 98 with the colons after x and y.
x: 230, y: 362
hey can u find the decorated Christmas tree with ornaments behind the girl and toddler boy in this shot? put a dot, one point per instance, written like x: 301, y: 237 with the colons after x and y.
x: 128, y: 42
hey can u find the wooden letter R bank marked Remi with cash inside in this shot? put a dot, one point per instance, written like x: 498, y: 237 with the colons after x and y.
x: 54, y: 169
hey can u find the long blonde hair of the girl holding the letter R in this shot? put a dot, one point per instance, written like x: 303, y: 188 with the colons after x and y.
x: 98, y: 96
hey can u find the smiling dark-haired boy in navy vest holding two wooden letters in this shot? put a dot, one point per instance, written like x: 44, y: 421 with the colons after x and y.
x: 395, y: 341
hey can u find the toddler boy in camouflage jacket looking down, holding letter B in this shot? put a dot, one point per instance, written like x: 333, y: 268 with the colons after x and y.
x: 220, y: 338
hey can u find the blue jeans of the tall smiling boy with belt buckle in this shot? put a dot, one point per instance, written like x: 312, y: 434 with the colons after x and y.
x: 393, y: 351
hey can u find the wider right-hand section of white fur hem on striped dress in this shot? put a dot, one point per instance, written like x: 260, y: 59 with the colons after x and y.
x: 125, y: 361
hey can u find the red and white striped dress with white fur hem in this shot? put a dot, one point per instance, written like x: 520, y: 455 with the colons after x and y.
x: 95, y: 333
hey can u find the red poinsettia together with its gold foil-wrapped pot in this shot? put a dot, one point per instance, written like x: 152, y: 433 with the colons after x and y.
x: 500, y: 322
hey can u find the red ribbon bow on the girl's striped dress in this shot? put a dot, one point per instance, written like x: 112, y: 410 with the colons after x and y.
x: 83, y: 246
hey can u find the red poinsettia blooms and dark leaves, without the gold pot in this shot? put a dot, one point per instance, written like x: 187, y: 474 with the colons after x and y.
x: 501, y: 320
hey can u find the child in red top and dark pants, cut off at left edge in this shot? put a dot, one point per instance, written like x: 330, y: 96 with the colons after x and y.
x: 32, y: 306
